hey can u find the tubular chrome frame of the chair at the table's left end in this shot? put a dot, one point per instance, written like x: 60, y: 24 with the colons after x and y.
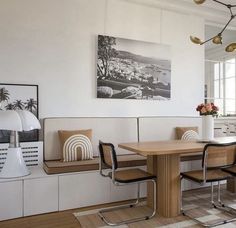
x: 116, y: 183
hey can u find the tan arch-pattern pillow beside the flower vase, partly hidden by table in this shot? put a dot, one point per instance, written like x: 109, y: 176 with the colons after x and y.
x: 187, y: 133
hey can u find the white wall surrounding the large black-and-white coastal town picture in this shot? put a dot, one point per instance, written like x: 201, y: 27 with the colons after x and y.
x: 52, y: 43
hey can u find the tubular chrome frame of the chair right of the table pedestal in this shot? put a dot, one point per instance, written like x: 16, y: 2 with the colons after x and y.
x: 219, y: 205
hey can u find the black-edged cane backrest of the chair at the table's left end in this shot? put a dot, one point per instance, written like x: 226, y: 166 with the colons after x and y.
x: 108, y: 155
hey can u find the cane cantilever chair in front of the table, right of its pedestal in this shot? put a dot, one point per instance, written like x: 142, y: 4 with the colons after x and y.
x: 215, y: 157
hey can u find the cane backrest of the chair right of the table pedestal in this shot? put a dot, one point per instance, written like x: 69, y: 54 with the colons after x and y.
x: 218, y: 155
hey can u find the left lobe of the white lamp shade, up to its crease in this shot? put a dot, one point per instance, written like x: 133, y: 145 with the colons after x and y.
x: 10, y: 120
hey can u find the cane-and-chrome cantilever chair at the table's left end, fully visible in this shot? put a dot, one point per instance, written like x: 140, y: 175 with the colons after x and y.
x: 108, y: 160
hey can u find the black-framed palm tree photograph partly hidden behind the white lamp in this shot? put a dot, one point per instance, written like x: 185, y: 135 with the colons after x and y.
x: 19, y: 97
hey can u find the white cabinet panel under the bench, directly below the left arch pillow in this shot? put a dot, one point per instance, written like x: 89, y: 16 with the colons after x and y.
x: 82, y: 190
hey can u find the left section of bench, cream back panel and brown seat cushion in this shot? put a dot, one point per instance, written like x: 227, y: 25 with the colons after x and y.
x: 113, y: 130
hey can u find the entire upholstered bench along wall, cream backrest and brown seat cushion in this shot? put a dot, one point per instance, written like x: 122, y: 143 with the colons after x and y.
x: 115, y: 130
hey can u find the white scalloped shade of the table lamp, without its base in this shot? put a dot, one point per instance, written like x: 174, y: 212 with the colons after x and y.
x: 18, y: 120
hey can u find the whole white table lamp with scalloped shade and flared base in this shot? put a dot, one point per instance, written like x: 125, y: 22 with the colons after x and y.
x: 15, y: 121
